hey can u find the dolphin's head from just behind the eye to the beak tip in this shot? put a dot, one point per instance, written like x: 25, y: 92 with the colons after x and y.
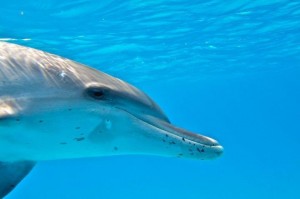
x: 131, y: 123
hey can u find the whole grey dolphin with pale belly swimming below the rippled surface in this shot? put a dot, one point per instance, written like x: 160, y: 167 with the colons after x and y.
x: 54, y: 108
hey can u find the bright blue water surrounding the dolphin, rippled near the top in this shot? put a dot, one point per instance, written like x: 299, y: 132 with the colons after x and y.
x: 227, y: 69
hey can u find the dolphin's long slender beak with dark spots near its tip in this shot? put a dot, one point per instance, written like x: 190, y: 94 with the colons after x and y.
x: 181, y: 142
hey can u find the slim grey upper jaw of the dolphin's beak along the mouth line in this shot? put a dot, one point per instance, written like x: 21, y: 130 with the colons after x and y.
x: 175, y: 132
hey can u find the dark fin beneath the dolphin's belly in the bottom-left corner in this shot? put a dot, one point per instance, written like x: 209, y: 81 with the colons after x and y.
x: 11, y: 173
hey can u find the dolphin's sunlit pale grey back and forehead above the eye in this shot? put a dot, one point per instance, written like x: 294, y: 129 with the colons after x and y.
x: 23, y: 68
